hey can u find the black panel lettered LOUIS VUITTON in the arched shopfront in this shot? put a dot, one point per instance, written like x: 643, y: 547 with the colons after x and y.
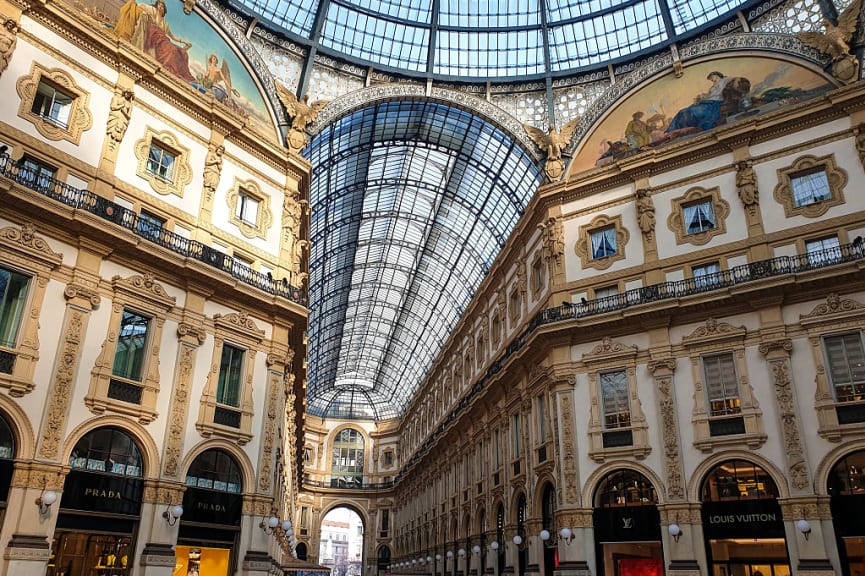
x: 757, y: 518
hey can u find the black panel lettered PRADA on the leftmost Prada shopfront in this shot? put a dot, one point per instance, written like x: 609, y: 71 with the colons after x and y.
x: 93, y: 492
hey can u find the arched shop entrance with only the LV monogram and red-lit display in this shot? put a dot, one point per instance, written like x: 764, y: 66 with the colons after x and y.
x: 627, y: 526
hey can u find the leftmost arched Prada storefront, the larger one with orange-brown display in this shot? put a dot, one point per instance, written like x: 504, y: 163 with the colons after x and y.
x: 100, y: 507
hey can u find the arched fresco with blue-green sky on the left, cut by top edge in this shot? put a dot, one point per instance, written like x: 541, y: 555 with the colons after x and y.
x: 186, y: 46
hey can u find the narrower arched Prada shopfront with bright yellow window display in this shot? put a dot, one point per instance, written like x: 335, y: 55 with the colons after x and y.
x: 212, y: 510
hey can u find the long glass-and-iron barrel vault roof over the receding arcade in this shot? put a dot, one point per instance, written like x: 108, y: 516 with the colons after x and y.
x: 411, y: 202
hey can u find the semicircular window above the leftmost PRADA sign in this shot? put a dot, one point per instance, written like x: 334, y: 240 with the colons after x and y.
x: 108, y: 450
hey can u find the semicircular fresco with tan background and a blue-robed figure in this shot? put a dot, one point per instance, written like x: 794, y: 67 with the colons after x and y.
x: 709, y: 94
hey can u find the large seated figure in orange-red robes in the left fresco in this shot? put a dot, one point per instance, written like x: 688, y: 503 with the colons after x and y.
x: 145, y: 26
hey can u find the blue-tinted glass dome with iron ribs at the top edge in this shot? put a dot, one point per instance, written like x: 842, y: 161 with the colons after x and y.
x: 487, y: 39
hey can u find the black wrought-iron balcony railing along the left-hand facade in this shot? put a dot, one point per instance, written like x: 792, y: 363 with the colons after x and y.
x: 94, y: 204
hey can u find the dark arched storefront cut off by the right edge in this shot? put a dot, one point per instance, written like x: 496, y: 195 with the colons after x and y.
x: 847, y: 491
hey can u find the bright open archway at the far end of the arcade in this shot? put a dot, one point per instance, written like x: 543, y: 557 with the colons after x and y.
x: 341, y: 542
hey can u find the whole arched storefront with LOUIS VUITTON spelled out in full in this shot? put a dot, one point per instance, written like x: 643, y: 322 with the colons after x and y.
x: 742, y: 522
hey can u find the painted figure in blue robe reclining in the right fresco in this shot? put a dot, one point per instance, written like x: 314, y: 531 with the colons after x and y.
x: 711, y: 108
